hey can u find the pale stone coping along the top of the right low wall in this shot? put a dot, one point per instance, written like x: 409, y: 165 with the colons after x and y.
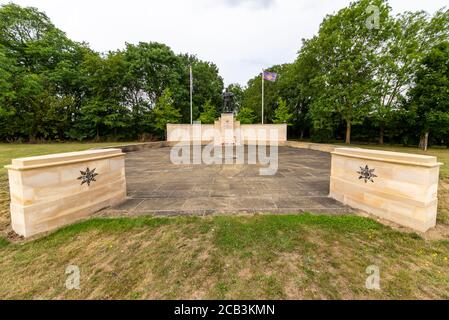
x: 388, y: 156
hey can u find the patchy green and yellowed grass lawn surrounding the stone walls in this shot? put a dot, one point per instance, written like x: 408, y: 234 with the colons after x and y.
x: 234, y: 257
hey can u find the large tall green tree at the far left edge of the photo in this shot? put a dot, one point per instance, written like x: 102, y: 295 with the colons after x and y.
x: 43, y: 63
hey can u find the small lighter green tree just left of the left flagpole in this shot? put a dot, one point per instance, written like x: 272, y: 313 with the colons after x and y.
x: 165, y: 112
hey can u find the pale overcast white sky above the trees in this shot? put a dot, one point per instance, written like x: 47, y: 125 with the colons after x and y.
x: 240, y: 36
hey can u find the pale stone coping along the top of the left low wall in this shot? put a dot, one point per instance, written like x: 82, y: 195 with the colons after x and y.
x: 58, y: 159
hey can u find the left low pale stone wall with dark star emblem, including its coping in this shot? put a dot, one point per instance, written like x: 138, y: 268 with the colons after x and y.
x: 50, y: 191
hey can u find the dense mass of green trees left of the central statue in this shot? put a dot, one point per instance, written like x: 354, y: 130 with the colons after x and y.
x: 52, y: 88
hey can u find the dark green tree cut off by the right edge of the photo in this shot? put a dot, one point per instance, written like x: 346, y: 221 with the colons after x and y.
x: 430, y: 97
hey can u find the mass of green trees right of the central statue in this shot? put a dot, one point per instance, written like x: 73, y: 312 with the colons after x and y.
x: 357, y: 76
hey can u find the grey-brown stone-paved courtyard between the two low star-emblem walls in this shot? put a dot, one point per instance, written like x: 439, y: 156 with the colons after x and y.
x: 156, y: 186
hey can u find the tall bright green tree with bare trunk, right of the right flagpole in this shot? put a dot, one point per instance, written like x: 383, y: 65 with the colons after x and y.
x: 344, y: 50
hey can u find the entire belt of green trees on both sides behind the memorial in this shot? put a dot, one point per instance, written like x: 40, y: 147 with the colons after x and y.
x: 347, y: 79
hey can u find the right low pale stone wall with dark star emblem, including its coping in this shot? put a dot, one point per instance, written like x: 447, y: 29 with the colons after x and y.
x: 398, y: 187
